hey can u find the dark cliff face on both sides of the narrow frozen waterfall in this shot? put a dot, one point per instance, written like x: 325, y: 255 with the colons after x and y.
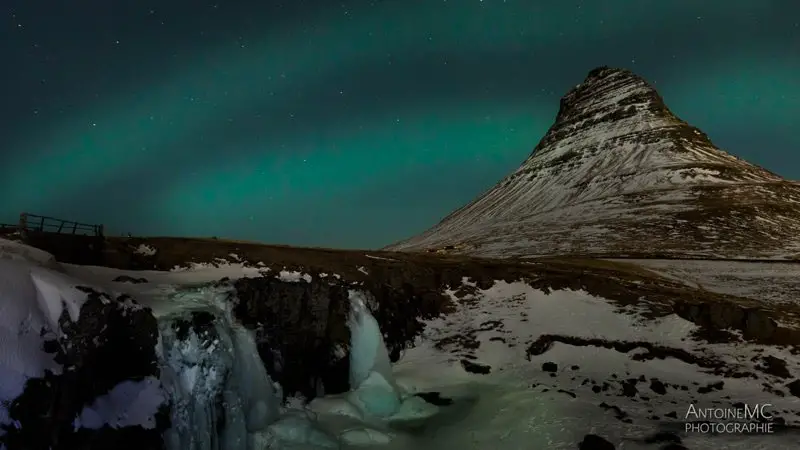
x: 301, y: 327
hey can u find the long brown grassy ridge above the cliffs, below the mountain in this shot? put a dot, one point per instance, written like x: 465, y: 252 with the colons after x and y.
x: 426, y: 275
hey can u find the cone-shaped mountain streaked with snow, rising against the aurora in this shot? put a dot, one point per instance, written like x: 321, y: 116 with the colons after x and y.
x: 619, y: 174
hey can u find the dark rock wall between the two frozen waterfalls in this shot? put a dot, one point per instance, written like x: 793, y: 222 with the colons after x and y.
x: 301, y: 332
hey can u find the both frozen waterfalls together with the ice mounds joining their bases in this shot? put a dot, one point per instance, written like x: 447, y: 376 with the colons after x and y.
x: 222, y: 398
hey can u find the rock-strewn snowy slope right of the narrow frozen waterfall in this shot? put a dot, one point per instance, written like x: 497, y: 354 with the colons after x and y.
x: 578, y: 364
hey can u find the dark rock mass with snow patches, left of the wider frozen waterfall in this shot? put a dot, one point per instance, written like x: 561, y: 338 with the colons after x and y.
x: 58, y: 334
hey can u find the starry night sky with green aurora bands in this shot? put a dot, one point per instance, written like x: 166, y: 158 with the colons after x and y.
x: 353, y: 123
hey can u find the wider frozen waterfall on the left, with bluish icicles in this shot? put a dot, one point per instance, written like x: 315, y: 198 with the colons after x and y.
x: 222, y: 396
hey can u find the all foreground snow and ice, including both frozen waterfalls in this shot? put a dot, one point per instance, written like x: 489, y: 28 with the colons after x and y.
x: 512, y: 368
